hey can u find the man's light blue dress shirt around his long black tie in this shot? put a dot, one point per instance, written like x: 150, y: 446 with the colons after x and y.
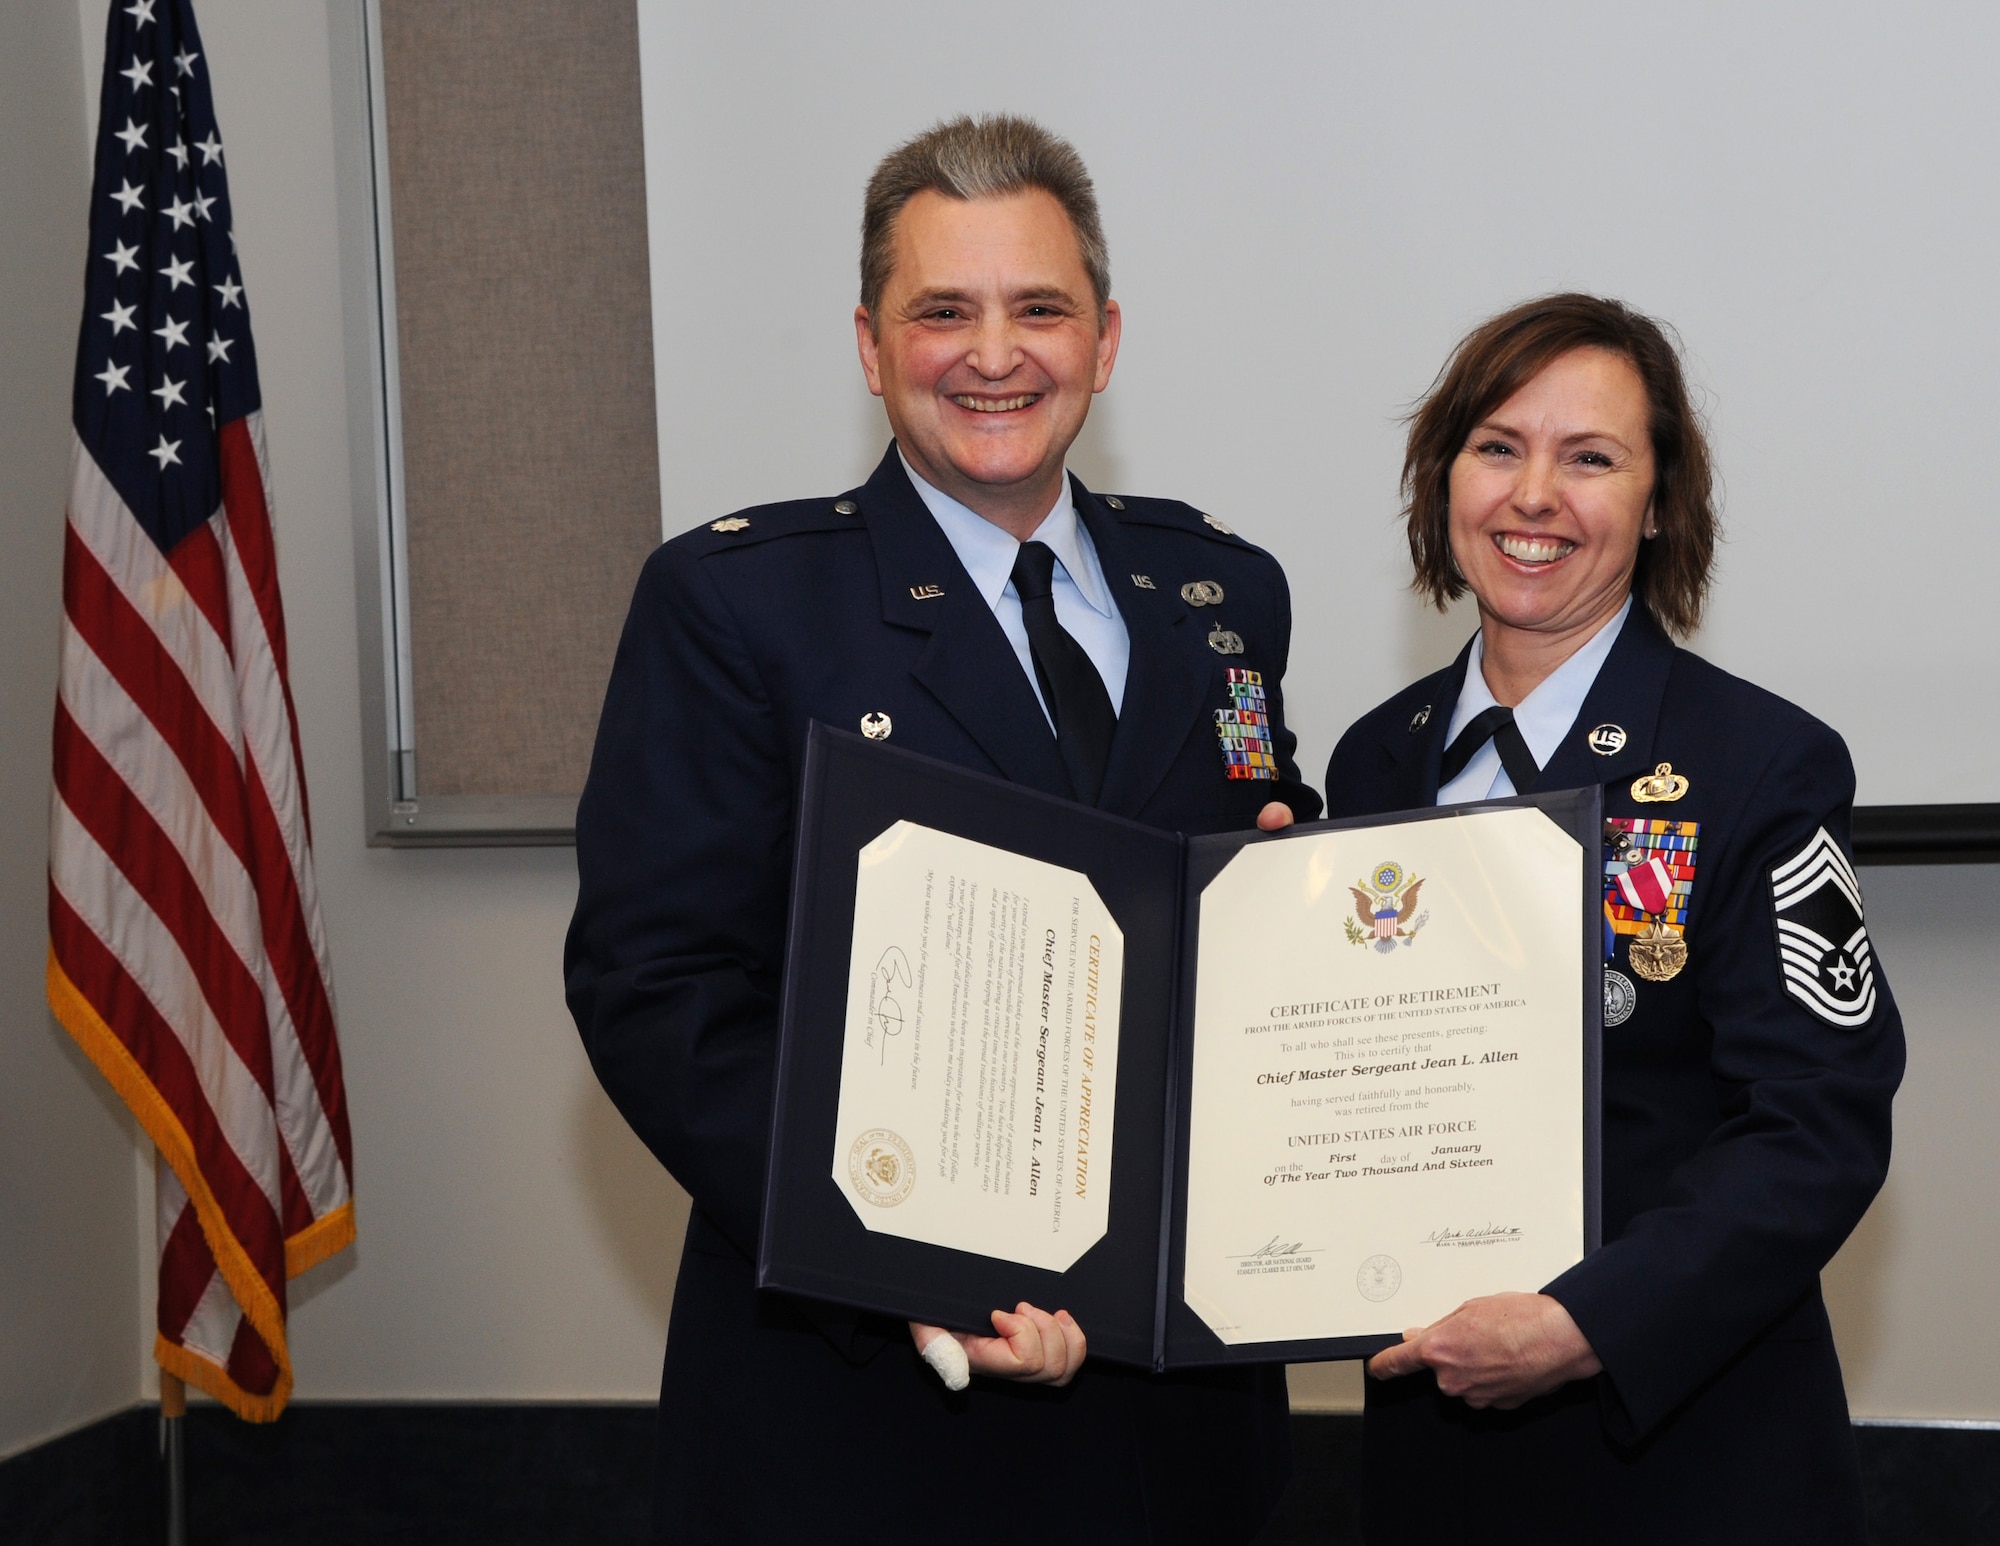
x: 1085, y: 603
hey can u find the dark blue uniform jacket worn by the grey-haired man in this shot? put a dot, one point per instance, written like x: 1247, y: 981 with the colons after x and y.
x: 785, y: 1421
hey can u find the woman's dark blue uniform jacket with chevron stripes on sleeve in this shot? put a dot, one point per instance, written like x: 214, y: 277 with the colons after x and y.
x: 1747, y: 1127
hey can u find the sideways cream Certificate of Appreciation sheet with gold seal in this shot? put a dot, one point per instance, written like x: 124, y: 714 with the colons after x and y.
x: 981, y: 1051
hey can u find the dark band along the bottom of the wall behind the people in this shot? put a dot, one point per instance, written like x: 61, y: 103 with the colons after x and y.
x: 561, y: 1475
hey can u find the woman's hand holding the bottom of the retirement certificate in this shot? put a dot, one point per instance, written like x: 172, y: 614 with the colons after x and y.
x: 1499, y: 1351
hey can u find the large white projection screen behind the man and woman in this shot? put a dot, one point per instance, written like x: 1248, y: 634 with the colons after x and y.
x: 1311, y: 203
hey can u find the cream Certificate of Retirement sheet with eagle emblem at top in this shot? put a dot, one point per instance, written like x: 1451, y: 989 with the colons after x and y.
x: 1389, y: 1077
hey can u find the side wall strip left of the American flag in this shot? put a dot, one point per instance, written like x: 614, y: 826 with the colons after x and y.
x: 69, y: 1263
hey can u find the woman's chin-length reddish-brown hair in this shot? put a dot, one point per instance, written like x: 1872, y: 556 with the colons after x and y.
x: 1501, y: 357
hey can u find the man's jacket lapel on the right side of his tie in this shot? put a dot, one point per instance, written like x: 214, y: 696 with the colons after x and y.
x: 1167, y: 683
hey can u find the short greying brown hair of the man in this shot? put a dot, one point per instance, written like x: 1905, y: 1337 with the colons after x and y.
x: 981, y: 159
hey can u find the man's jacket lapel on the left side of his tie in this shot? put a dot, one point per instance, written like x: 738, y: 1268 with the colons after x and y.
x: 969, y: 665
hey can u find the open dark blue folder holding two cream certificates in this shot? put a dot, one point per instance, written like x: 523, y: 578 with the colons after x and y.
x: 1227, y: 1099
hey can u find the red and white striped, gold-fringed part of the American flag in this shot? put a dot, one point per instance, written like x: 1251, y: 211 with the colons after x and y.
x: 187, y: 945
